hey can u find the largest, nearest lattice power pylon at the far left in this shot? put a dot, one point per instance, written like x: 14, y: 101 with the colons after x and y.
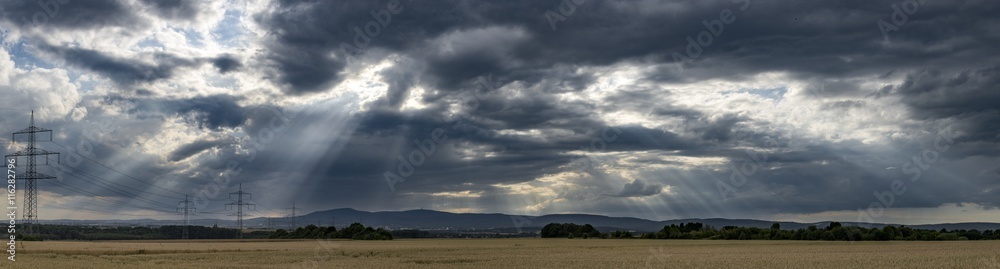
x: 30, y: 214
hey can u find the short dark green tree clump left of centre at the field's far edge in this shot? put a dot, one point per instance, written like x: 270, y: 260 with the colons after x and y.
x: 355, y: 231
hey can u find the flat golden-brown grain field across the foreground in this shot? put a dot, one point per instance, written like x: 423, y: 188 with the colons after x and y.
x: 506, y: 253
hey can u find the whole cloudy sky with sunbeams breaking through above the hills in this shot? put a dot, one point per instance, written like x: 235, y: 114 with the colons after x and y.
x: 879, y: 111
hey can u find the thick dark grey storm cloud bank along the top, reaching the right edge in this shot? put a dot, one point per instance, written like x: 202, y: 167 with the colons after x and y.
x: 806, y: 39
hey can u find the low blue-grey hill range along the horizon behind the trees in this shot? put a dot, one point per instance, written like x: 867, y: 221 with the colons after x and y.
x: 437, y: 220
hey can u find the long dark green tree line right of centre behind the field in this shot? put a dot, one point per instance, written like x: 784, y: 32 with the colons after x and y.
x: 835, y: 231
